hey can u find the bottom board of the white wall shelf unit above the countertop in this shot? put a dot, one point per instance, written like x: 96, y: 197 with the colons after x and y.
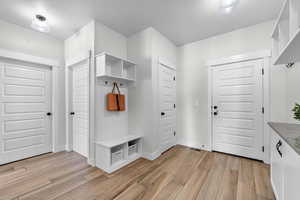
x: 291, y: 51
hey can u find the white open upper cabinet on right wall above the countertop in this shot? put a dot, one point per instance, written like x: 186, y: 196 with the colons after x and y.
x: 286, y: 34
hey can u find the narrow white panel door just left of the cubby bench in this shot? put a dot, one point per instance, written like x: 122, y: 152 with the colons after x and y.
x: 80, y: 106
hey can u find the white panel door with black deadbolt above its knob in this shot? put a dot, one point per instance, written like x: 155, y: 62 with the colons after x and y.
x: 237, y: 109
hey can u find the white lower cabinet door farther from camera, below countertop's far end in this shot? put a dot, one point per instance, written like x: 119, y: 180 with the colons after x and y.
x: 276, y: 167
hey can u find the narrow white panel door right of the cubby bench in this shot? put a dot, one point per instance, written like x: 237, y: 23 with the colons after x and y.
x: 167, y: 105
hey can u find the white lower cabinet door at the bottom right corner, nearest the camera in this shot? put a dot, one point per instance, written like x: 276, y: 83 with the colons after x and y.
x: 291, y: 175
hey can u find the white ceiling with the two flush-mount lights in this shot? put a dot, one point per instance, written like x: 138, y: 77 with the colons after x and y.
x: 182, y: 21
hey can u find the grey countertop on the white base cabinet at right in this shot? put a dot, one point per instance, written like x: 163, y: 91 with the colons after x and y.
x: 290, y: 133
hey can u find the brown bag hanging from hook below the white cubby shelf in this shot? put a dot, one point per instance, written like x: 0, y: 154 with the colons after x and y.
x: 115, y: 101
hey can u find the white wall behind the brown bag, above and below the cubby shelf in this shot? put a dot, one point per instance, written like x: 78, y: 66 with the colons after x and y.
x: 109, y: 125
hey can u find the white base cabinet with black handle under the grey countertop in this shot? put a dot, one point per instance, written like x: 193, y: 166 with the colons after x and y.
x: 285, y: 169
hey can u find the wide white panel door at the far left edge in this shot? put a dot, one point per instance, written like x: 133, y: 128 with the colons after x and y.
x: 24, y: 103
